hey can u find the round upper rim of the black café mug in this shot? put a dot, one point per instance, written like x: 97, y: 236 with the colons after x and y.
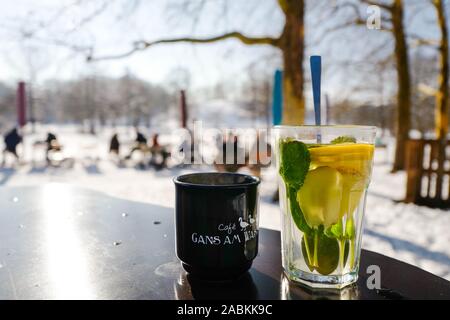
x: 255, y: 180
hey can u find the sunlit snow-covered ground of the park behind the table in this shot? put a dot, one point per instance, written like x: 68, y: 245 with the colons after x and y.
x: 417, y: 235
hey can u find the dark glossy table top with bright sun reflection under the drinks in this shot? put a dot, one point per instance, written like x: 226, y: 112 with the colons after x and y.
x: 61, y: 242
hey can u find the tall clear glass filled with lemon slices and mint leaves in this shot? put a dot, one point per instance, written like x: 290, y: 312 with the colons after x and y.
x: 323, y: 174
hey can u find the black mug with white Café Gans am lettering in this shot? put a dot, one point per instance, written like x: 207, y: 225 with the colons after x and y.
x: 216, y: 220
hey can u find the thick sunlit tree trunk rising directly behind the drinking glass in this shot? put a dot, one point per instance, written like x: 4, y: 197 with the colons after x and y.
x: 292, y: 46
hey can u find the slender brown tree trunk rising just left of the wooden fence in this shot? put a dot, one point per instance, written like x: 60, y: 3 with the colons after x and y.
x: 403, y: 121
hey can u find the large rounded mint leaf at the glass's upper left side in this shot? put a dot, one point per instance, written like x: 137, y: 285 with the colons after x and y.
x: 294, y: 162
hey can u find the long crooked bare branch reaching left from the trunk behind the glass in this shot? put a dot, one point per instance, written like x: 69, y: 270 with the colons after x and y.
x: 142, y: 45
